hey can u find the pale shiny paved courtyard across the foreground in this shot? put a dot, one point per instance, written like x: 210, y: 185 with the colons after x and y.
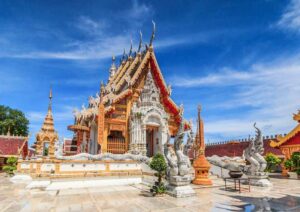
x: 284, y: 196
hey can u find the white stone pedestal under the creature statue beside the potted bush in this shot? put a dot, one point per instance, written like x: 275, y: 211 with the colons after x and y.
x: 179, y: 186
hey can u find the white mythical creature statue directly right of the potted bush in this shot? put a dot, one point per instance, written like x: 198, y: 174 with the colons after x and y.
x: 178, y: 163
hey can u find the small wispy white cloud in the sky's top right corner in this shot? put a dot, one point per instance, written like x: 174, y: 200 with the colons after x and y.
x: 290, y: 19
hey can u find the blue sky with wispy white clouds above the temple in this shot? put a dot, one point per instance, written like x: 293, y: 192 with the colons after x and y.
x: 239, y: 59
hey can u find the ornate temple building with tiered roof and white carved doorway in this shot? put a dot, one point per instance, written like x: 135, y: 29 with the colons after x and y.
x: 132, y: 113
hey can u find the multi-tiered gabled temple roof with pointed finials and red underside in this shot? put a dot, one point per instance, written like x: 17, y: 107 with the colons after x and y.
x: 126, y: 78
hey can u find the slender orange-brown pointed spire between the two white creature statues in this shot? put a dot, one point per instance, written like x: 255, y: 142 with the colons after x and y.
x: 201, y: 165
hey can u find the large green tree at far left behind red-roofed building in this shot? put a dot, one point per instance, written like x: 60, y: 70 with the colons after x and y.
x: 13, y: 120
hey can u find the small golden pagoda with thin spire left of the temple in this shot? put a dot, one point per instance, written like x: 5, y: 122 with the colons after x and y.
x: 47, y: 136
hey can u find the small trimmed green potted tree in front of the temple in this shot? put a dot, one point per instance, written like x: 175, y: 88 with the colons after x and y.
x: 158, y: 164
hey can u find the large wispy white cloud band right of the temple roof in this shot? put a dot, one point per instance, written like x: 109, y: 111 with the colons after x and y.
x: 271, y: 91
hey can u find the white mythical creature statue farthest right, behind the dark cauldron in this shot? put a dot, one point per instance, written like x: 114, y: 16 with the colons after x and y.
x: 253, y: 154
